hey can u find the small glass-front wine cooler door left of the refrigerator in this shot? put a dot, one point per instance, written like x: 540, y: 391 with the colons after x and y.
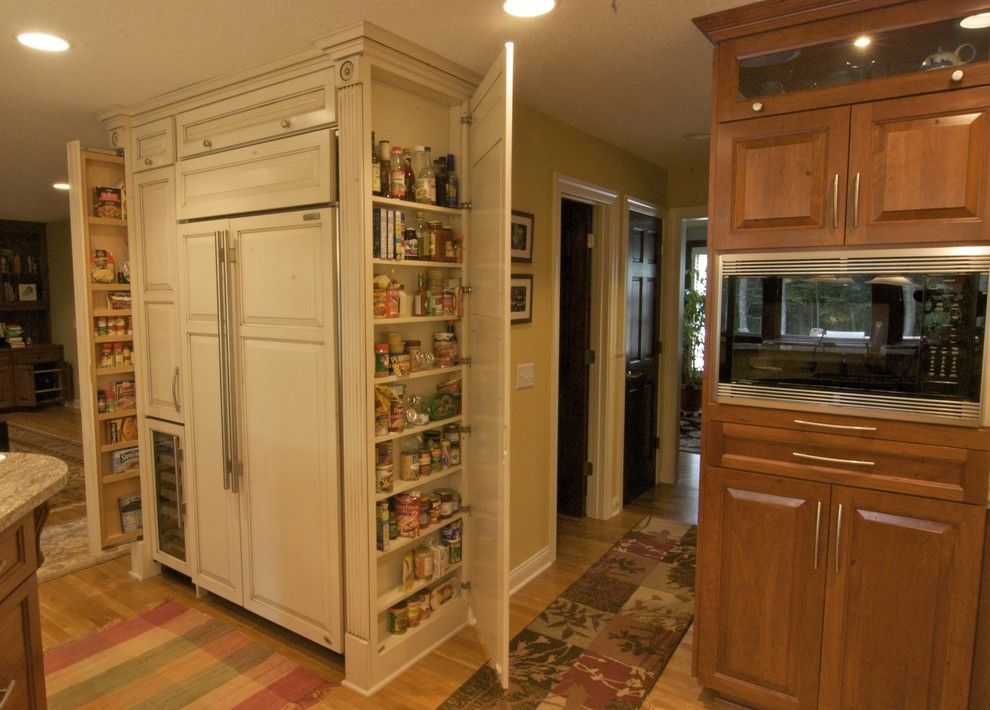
x: 169, y: 494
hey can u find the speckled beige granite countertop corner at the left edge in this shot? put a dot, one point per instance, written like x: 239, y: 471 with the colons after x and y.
x: 26, y: 481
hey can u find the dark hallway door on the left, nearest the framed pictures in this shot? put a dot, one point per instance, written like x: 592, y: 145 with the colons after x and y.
x: 575, y: 335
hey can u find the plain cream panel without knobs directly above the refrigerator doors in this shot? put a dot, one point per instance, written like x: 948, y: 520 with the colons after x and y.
x: 289, y: 172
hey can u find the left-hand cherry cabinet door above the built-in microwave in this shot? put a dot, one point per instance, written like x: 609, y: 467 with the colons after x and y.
x: 780, y: 181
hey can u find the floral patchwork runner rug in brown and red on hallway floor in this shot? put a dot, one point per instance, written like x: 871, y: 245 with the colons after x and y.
x: 603, y: 643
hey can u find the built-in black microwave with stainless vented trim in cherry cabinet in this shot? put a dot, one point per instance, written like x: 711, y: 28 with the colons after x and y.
x: 897, y: 333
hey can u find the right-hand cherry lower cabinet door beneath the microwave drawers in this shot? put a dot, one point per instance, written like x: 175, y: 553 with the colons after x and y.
x: 904, y: 573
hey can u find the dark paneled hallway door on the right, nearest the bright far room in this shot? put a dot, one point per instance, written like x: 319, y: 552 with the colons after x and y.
x: 642, y: 344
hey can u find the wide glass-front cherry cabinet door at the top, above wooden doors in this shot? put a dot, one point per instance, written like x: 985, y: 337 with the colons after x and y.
x: 927, y: 46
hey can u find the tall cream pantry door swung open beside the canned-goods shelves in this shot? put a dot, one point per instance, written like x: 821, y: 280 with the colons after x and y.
x: 490, y: 183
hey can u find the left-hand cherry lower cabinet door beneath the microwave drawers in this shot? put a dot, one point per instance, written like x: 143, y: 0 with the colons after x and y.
x: 761, y: 586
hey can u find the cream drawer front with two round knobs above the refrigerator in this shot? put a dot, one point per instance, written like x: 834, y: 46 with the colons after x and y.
x: 291, y: 106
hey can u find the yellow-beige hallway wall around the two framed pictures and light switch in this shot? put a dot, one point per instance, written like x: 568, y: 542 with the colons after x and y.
x: 543, y: 146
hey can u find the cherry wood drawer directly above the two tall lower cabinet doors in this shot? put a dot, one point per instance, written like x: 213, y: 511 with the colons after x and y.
x: 946, y: 472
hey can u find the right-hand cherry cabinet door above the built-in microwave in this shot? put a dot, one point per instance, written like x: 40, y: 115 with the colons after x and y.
x: 920, y: 167
